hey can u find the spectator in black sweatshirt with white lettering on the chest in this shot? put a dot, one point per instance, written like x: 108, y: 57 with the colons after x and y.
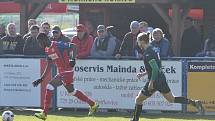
x: 12, y: 42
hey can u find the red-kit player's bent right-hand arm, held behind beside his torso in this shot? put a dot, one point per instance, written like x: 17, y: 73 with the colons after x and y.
x: 73, y: 54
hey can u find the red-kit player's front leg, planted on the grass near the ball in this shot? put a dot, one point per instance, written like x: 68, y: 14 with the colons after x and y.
x: 54, y: 83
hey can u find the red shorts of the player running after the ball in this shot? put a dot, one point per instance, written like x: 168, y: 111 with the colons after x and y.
x: 66, y: 77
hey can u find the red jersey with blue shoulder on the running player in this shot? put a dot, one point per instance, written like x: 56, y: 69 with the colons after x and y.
x: 58, y: 52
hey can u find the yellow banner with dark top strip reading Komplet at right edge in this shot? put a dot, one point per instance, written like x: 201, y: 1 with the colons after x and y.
x: 200, y: 84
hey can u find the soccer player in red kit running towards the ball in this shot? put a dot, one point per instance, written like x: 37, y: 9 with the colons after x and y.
x: 63, y: 56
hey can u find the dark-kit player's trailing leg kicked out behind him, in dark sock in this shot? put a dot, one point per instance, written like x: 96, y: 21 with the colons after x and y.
x: 183, y: 100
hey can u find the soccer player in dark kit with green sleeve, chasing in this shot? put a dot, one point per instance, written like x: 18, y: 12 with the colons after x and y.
x: 157, y: 79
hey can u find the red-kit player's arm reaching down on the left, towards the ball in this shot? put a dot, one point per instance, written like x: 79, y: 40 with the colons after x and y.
x: 47, y: 68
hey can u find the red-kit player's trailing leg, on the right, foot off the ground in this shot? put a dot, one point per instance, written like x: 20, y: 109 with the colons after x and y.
x: 68, y: 84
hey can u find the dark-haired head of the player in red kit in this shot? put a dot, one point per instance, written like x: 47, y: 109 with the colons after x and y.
x: 43, y: 40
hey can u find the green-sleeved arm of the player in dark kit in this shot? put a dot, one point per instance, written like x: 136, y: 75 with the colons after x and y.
x: 155, y: 69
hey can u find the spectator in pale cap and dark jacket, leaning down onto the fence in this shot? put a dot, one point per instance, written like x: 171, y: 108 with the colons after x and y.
x: 128, y: 45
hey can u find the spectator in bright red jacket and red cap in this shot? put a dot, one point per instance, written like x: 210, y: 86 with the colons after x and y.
x: 83, y: 41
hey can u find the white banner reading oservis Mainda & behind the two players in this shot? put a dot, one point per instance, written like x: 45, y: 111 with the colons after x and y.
x: 113, y: 84
